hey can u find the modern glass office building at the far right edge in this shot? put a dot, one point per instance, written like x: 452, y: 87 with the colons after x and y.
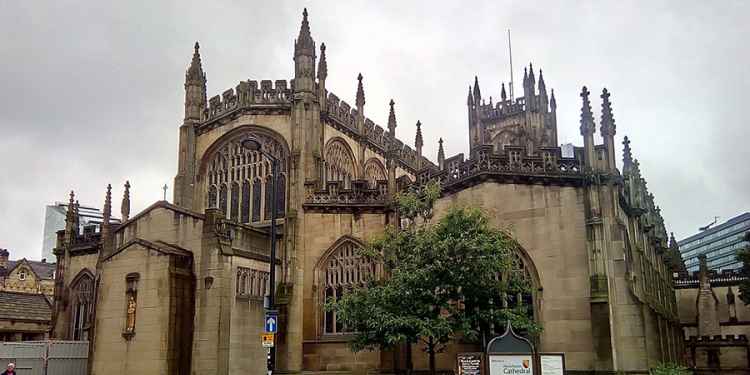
x: 719, y: 243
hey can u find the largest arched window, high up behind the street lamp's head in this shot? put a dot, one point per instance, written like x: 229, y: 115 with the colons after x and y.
x: 236, y: 177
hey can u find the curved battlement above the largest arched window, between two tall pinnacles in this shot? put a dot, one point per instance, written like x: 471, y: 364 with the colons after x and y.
x: 249, y: 93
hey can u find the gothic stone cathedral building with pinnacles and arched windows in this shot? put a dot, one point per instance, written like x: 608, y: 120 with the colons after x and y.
x: 178, y: 288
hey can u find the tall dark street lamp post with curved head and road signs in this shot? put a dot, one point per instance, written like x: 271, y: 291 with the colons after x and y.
x: 253, y: 144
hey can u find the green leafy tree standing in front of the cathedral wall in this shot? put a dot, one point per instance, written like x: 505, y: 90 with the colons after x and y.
x: 442, y: 279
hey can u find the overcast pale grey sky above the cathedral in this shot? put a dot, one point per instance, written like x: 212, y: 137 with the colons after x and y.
x: 92, y: 92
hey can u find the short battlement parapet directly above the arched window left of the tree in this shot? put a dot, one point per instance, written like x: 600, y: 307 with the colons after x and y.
x: 335, y: 197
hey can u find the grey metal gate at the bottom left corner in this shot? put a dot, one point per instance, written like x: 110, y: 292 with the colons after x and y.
x: 46, y: 357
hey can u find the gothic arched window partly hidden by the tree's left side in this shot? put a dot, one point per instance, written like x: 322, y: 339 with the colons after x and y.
x: 342, y: 270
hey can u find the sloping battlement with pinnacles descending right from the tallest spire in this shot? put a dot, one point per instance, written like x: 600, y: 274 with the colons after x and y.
x: 342, y: 114
